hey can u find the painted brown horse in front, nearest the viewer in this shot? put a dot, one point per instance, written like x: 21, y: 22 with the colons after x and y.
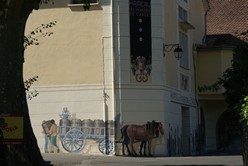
x: 143, y: 133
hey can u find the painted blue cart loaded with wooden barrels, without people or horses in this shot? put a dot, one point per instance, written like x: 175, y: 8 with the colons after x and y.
x: 74, y: 135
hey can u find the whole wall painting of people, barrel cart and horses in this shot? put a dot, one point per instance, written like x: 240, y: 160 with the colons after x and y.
x: 110, y: 137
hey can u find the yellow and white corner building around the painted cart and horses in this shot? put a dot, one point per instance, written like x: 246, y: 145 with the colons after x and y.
x: 99, y: 67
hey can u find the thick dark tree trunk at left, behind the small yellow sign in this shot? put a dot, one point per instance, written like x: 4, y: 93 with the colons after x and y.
x: 13, y: 17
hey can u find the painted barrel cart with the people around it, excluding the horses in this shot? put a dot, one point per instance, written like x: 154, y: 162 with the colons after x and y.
x: 73, y: 133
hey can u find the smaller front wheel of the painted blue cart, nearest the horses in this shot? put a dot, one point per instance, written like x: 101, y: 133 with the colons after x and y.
x: 106, y: 146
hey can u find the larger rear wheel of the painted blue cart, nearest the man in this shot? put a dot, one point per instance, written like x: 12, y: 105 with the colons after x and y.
x: 74, y: 140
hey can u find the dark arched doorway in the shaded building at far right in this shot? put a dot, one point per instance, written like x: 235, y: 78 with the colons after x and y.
x: 228, y: 132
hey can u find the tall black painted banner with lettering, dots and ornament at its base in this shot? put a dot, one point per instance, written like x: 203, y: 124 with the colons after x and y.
x: 140, y: 40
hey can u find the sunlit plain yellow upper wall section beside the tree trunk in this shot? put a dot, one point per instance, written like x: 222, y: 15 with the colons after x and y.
x: 73, y: 54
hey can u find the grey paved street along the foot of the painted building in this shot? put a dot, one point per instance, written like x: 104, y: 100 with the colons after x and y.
x: 103, y: 160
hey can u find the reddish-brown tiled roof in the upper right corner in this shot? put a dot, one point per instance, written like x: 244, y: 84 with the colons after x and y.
x: 227, y: 16
